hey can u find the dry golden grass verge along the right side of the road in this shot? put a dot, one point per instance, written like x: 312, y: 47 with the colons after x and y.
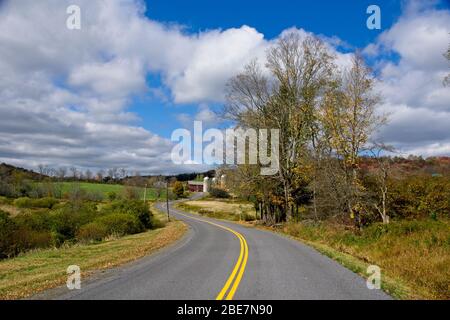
x: 414, y: 256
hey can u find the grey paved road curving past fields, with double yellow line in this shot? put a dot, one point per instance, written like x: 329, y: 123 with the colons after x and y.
x: 224, y: 260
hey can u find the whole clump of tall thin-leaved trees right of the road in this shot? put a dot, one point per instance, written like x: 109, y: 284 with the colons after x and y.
x: 325, y: 118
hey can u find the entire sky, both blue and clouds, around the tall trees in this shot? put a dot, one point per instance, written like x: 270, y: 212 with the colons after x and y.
x: 111, y: 93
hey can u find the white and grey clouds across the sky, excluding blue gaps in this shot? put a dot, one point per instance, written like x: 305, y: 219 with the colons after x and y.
x: 64, y: 94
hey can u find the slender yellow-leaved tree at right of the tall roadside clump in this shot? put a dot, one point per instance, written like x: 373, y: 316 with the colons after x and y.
x: 350, y: 119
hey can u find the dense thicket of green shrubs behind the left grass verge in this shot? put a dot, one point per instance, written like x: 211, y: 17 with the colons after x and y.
x: 76, y: 220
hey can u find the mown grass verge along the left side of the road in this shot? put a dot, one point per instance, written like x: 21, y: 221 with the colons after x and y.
x: 35, y: 271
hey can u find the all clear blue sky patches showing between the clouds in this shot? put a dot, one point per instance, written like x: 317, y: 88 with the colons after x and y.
x: 345, y: 20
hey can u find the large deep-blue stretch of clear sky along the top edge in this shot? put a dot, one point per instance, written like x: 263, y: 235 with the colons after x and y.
x: 344, y: 19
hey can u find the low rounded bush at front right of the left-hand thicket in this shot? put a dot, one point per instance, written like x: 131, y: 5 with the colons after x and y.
x: 120, y: 224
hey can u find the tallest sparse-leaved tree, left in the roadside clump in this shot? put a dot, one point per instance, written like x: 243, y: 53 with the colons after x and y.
x: 300, y: 70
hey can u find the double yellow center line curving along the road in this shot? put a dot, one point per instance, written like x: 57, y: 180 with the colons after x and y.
x: 236, y: 275
